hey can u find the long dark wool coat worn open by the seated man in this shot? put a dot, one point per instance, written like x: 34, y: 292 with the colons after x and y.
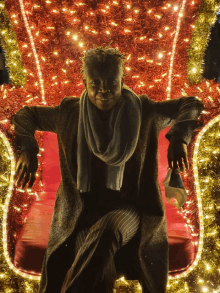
x: 145, y: 257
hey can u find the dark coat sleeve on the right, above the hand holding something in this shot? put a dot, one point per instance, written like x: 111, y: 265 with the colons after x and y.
x: 181, y: 114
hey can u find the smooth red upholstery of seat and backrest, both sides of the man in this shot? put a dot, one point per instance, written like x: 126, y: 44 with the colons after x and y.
x: 32, y: 241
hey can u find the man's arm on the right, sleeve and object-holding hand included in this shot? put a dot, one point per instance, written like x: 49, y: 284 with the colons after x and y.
x: 182, y: 114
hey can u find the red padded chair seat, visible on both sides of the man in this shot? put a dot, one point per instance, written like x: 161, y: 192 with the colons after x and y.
x: 33, y: 239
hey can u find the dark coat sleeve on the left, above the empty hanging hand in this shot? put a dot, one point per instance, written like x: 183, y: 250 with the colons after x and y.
x: 29, y: 119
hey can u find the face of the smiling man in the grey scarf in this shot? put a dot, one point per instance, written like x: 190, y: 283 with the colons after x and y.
x: 104, y: 84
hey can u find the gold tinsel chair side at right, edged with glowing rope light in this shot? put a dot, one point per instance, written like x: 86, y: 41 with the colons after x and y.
x: 204, y: 274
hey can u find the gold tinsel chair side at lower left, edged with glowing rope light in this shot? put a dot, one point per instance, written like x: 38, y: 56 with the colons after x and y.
x: 10, y: 279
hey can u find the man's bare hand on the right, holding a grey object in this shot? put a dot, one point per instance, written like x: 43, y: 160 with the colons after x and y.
x: 177, y: 155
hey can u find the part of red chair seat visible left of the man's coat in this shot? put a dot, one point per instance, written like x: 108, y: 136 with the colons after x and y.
x: 33, y: 238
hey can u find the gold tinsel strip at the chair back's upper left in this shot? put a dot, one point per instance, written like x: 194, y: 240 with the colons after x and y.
x: 9, y: 43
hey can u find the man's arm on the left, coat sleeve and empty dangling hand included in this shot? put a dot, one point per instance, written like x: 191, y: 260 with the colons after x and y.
x: 26, y: 121
